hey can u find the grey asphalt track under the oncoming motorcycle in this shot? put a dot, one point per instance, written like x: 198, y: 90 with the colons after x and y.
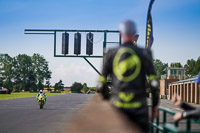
x: 24, y: 116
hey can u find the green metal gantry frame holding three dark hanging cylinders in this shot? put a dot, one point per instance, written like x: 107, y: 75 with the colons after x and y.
x: 54, y: 32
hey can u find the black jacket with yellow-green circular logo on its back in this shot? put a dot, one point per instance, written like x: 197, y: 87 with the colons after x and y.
x: 128, y: 67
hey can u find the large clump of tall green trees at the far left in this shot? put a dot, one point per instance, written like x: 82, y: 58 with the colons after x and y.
x: 24, y: 72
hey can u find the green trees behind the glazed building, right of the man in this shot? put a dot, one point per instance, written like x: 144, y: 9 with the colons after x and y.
x: 192, y: 67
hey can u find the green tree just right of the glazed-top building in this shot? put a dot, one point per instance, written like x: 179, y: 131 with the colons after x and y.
x: 189, y: 68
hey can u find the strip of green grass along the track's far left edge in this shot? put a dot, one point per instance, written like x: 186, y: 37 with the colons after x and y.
x: 22, y: 95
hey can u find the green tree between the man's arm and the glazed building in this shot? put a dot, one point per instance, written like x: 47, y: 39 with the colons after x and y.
x: 160, y: 68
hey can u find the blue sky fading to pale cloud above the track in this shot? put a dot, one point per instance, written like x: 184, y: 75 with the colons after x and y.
x: 176, y: 29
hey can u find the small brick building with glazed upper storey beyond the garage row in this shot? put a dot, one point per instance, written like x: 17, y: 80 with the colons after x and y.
x: 172, y: 74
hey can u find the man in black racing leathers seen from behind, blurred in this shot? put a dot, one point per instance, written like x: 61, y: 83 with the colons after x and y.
x: 128, y: 66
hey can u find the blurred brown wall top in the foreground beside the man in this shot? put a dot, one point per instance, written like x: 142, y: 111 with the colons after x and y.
x: 100, y: 117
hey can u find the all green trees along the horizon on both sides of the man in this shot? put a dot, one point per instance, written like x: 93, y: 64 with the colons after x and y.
x: 31, y: 73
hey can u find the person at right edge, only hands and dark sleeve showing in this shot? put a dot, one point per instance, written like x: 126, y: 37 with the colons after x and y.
x: 189, y: 111
